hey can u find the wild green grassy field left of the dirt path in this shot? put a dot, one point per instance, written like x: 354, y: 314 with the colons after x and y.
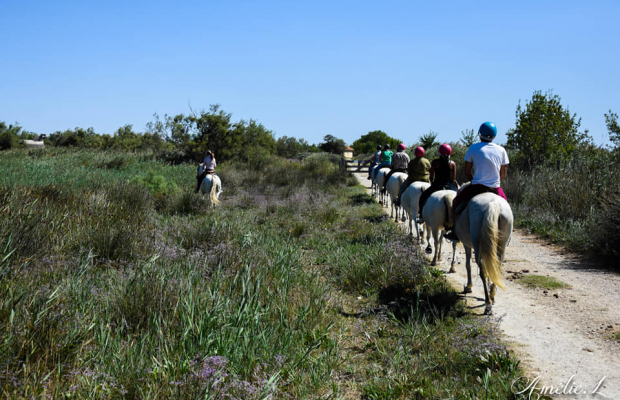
x: 117, y: 281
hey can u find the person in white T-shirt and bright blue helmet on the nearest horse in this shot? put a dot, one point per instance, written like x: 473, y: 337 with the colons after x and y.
x: 489, y: 162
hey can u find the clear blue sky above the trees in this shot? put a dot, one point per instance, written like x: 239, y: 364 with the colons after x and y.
x: 307, y: 69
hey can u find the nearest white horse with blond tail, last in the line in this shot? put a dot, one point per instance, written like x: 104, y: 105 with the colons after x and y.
x: 485, y: 225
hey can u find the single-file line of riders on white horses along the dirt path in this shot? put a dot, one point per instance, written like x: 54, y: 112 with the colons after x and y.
x: 478, y: 215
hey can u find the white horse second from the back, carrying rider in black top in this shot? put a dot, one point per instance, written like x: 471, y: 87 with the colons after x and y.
x: 435, y: 214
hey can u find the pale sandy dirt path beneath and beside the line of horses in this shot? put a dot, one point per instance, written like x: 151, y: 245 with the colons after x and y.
x: 563, y: 336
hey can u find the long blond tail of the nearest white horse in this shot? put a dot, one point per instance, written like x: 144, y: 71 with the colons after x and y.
x: 489, y: 238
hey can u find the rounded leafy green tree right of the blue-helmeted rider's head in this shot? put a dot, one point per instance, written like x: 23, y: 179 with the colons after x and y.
x: 545, y: 130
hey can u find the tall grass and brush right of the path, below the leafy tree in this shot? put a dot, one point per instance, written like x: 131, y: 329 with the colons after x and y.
x: 572, y: 201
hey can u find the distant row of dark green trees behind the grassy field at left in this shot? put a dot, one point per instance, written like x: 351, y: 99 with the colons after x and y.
x: 184, y: 138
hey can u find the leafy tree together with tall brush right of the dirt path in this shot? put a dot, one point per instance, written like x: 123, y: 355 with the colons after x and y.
x: 561, y: 186
